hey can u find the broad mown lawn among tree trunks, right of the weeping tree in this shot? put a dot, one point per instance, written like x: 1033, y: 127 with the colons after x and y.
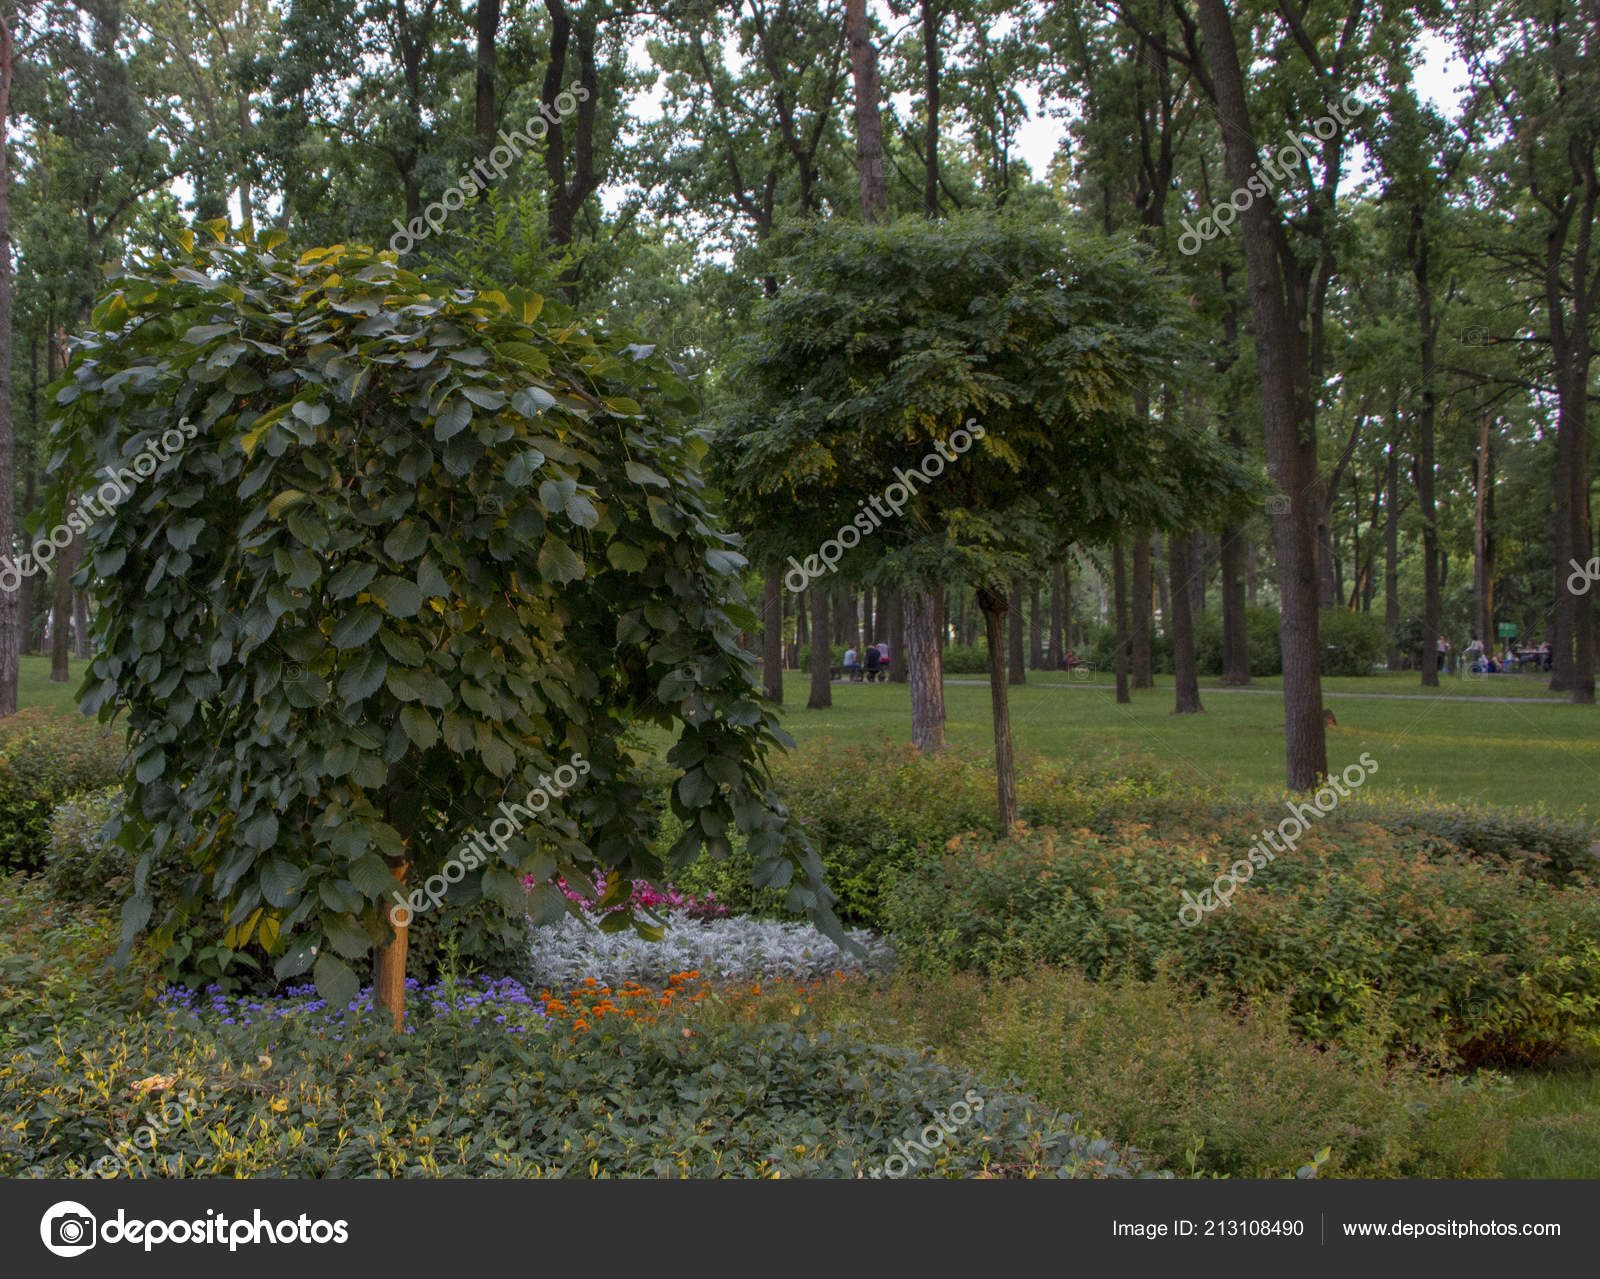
x: 1470, y: 752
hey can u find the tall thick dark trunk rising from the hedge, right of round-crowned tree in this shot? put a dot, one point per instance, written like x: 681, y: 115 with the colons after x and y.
x: 1287, y: 417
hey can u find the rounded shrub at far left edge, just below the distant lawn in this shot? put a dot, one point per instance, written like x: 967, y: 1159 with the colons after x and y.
x: 46, y: 758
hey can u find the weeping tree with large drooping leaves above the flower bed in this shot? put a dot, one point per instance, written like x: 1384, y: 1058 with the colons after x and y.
x: 382, y: 558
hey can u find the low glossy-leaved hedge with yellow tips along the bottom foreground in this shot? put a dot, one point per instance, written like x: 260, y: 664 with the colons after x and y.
x: 466, y: 1097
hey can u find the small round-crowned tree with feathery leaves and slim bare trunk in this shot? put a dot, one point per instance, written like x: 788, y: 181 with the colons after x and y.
x: 889, y: 342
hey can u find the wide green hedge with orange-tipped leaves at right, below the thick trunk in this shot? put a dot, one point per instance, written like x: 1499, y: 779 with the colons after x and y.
x: 1354, y: 928
